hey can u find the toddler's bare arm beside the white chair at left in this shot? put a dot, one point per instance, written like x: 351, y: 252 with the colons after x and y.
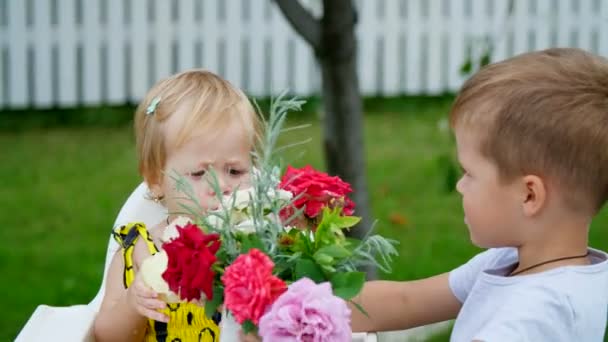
x: 116, y: 320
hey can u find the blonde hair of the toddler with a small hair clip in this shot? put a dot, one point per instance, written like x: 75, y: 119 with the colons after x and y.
x: 209, y: 102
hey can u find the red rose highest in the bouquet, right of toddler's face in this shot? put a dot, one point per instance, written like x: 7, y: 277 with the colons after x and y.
x: 319, y: 190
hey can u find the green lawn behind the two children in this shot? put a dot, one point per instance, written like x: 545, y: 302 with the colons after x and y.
x: 62, y: 188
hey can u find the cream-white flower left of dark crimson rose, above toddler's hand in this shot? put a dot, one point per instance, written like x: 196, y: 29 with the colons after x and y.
x: 151, y: 270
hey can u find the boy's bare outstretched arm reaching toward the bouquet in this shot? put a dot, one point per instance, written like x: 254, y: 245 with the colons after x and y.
x: 398, y: 305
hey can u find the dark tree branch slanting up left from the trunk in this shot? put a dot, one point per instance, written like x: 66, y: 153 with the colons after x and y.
x: 302, y: 21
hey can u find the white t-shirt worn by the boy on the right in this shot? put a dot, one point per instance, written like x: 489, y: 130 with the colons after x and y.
x: 567, y: 304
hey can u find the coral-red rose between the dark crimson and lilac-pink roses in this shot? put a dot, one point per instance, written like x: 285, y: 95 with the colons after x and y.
x: 250, y: 287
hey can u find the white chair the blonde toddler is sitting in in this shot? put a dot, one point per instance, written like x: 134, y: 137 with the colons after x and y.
x: 75, y: 323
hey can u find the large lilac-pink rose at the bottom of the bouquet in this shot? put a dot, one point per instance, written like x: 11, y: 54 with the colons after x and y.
x: 307, y: 312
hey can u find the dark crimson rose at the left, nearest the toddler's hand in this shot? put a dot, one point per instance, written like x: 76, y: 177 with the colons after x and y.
x: 191, y: 256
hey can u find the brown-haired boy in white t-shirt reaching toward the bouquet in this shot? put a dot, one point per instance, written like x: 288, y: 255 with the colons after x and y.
x: 532, y: 138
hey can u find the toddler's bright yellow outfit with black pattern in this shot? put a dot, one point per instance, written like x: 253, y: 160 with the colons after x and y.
x: 187, y: 321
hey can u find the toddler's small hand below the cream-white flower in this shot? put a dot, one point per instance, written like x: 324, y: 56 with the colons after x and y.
x: 145, y: 301
